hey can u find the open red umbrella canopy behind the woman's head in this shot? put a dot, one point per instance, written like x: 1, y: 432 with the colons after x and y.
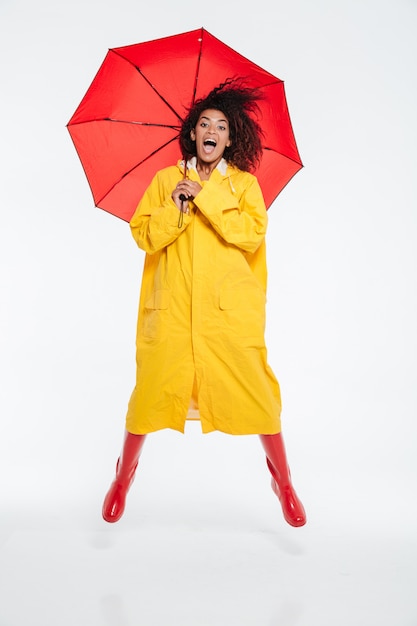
x: 127, y: 125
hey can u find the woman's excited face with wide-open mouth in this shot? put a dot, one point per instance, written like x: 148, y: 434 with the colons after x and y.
x: 211, y: 136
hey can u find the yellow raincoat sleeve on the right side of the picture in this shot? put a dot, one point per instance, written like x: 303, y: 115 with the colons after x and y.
x: 241, y: 221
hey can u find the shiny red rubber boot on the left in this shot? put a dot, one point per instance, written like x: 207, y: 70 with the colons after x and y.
x: 115, y: 500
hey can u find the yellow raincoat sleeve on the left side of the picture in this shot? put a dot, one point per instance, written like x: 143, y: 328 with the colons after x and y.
x: 154, y: 224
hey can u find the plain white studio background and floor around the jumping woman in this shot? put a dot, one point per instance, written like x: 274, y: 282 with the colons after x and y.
x: 203, y: 542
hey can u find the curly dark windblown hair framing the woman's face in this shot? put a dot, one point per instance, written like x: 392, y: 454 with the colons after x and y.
x: 239, y: 104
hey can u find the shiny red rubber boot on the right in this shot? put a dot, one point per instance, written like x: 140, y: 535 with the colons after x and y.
x: 276, y: 460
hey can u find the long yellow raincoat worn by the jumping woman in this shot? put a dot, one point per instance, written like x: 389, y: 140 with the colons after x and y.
x: 201, y: 320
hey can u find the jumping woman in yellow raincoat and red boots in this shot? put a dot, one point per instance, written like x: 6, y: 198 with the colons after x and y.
x: 200, y: 334
